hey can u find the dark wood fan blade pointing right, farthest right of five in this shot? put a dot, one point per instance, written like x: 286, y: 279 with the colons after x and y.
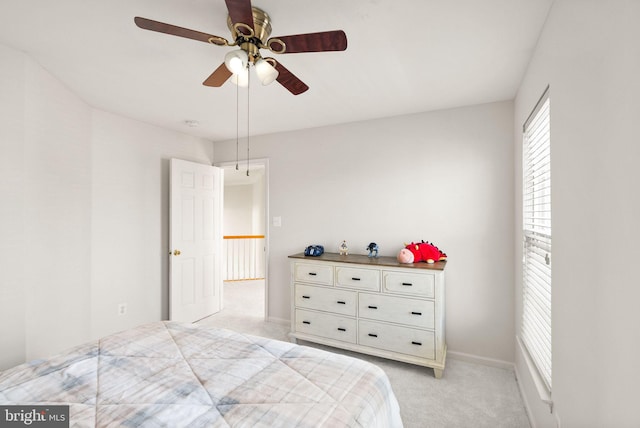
x: 312, y: 42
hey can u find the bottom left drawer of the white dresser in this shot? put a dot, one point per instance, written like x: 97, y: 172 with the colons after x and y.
x: 326, y: 325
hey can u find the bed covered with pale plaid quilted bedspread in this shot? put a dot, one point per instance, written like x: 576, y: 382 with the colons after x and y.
x: 175, y: 375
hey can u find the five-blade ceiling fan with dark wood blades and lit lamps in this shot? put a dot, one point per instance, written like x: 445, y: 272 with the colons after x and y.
x: 250, y: 29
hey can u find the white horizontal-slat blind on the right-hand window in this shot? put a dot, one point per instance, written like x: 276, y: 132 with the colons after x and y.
x: 536, y: 313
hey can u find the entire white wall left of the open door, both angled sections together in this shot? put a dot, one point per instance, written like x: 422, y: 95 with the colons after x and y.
x: 84, y: 215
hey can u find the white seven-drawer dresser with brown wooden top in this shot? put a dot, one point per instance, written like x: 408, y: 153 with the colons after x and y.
x: 375, y: 306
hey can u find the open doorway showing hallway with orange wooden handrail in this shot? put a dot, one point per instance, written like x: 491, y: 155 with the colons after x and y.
x: 245, y: 243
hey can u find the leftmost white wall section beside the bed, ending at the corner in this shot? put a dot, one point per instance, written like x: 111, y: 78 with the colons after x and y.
x: 45, y: 217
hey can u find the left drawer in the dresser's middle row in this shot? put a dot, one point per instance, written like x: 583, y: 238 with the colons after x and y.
x: 326, y: 299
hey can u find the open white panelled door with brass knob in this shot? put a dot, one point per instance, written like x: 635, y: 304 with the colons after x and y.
x: 195, y: 240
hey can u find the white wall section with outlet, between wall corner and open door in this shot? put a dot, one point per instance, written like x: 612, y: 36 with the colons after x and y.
x: 130, y: 218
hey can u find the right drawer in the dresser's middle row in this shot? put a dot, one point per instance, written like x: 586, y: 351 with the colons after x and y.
x: 402, y: 310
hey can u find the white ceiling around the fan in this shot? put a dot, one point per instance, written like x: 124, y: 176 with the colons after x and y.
x: 403, y: 56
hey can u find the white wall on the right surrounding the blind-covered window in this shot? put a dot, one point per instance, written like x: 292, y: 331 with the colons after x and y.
x: 590, y: 56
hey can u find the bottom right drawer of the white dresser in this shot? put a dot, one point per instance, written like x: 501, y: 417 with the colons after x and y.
x: 419, y: 343
